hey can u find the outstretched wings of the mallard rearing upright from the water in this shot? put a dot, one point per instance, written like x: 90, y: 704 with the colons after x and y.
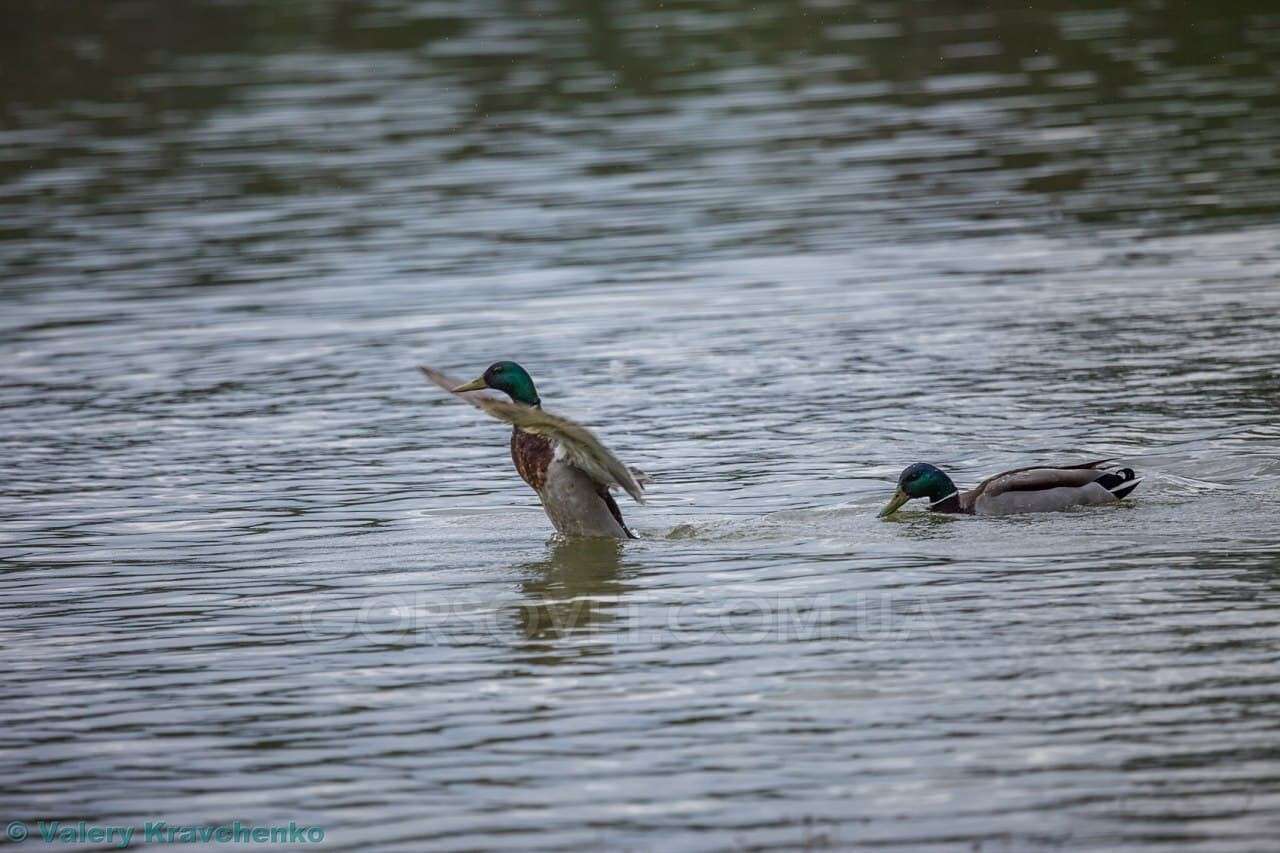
x: 574, y: 443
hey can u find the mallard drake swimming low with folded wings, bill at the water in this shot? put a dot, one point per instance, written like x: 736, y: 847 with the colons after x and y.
x: 1025, y: 490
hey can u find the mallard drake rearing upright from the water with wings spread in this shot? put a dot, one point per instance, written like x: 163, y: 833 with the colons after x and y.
x: 563, y: 462
